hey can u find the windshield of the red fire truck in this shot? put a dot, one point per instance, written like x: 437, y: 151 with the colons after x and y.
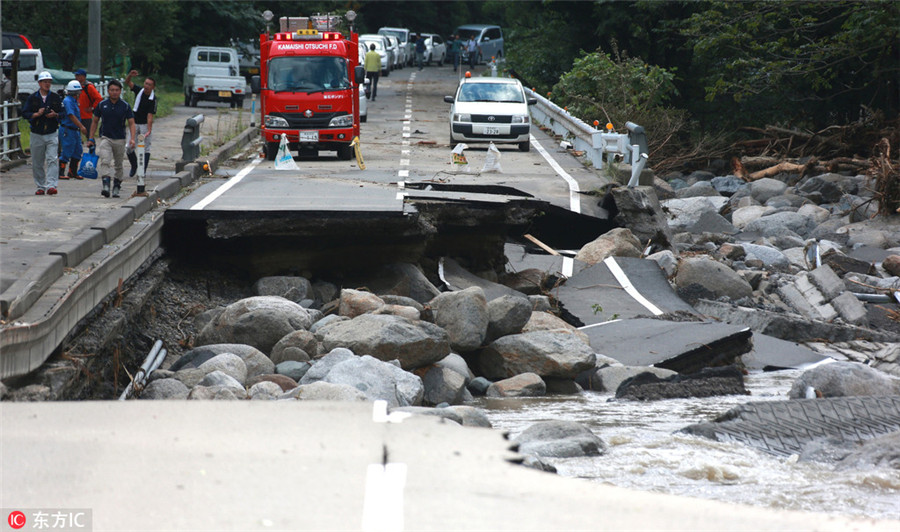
x: 308, y: 74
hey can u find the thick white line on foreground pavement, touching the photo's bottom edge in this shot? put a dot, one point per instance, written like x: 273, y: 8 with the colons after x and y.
x: 383, y: 502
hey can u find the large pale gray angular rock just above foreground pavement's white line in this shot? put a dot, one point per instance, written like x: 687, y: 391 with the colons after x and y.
x: 379, y: 380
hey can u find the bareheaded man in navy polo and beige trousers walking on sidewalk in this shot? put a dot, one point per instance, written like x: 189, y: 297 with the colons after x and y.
x: 112, y: 115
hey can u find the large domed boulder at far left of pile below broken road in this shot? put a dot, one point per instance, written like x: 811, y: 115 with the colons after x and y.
x: 257, y: 321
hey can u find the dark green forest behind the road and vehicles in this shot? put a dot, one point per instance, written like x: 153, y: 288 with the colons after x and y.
x: 703, y: 77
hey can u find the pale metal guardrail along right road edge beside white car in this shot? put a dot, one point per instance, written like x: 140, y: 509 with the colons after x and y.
x: 596, y: 143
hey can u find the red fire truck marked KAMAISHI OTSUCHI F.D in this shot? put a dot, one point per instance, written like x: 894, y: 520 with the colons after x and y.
x: 309, y: 91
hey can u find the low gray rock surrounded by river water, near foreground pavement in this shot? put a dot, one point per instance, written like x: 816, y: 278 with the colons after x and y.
x: 559, y: 439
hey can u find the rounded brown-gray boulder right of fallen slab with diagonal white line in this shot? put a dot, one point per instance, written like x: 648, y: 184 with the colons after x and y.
x: 700, y: 277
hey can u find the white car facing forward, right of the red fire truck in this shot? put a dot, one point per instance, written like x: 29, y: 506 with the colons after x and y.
x: 490, y: 110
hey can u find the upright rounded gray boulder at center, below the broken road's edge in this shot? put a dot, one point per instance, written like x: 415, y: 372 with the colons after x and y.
x: 464, y: 315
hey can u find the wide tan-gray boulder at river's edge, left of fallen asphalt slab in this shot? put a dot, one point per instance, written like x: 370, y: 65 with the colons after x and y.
x: 546, y: 353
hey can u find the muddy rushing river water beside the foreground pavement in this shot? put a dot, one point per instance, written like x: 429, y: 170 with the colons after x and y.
x: 644, y: 453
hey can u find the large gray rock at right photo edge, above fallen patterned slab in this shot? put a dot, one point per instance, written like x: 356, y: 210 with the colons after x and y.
x: 842, y: 379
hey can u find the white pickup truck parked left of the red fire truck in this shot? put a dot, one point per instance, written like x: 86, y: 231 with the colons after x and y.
x: 213, y: 74
